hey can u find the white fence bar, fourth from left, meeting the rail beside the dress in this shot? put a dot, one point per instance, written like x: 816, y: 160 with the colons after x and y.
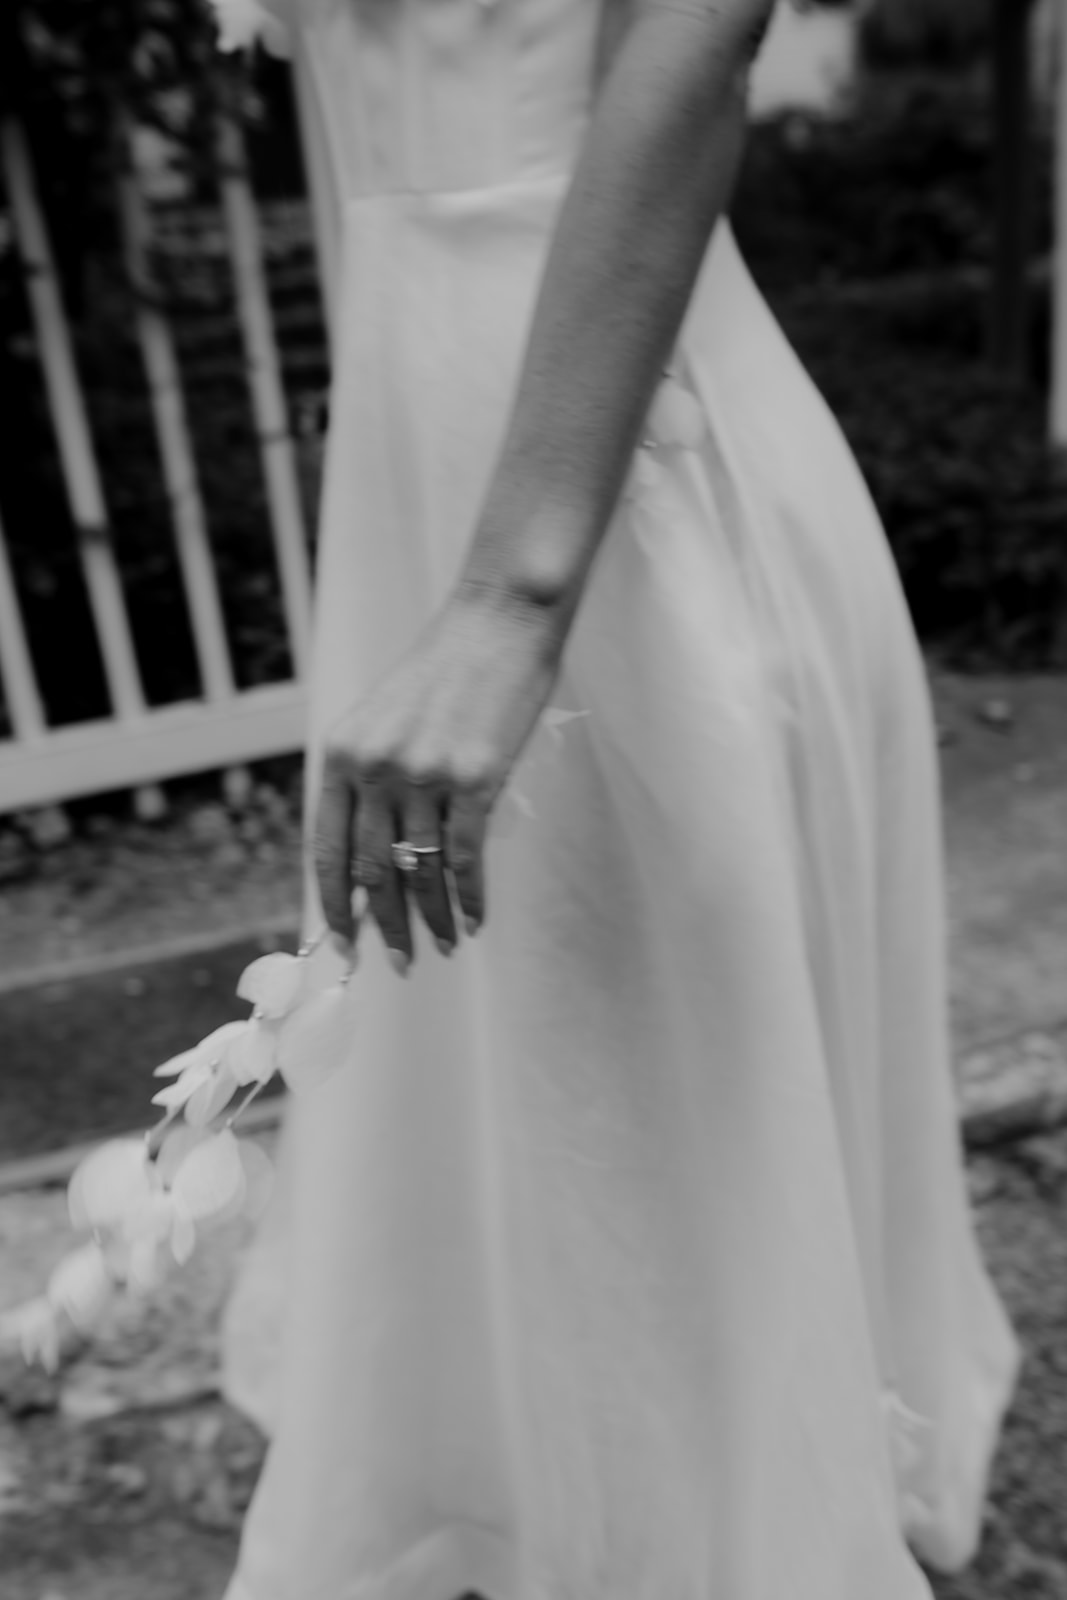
x: 268, y: 394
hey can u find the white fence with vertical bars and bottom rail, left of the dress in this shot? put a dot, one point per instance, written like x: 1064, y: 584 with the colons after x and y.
x: 140, y: 745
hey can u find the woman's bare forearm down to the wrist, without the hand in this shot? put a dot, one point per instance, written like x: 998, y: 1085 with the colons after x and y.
x: 653, y: 177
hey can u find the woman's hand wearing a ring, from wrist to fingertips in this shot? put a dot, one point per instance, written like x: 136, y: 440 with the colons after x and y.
x: 423, y: 759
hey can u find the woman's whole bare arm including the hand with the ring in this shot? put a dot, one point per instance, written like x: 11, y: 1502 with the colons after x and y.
x: 425, y: 756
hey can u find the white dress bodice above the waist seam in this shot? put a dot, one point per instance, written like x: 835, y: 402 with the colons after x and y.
x: 447, y: 95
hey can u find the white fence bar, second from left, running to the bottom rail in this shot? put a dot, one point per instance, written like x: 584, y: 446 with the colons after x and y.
x: 73, y: 431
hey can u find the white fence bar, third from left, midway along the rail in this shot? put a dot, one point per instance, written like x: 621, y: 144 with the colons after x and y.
x: 172, y: 431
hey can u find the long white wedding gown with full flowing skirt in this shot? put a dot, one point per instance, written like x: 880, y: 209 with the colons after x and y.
x: 628, y: 1258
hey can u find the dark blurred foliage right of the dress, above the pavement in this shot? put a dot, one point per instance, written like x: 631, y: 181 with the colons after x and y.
x: 873, y: 239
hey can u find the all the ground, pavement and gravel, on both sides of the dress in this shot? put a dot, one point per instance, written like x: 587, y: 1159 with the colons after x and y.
x: 126, y: 1478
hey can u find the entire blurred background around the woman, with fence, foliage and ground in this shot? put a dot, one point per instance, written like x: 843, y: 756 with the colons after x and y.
x: 166, y: 242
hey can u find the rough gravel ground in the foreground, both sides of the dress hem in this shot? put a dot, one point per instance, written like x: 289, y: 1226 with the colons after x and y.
x: 127, y: 1478
